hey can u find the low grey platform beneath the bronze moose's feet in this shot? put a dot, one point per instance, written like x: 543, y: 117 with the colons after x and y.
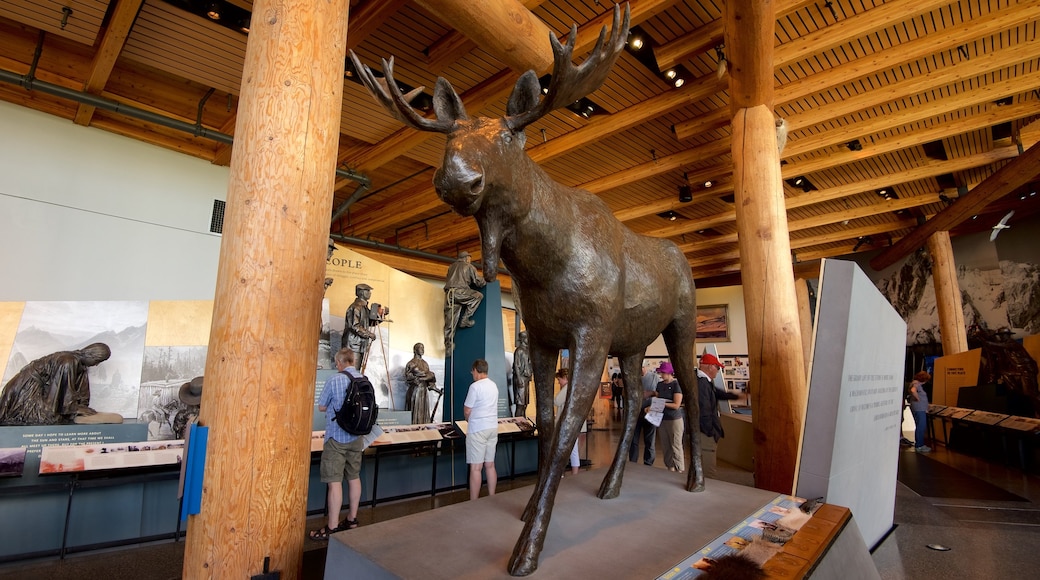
x: 652, y: 528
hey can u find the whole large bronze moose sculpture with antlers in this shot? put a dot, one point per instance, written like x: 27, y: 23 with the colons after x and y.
x: 587, y: 283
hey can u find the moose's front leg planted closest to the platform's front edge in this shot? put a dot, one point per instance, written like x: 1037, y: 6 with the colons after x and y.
x: 588, y: 361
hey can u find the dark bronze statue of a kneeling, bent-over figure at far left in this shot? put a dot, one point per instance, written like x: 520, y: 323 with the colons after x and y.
x: 54, y: 389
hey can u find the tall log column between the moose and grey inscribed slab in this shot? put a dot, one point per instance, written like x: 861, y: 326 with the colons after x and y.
x: 778, y: 388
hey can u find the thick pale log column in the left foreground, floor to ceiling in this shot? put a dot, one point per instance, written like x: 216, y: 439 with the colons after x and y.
x: 258, y: 398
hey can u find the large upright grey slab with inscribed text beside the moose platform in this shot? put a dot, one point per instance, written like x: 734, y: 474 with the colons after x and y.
x: 850, y: 449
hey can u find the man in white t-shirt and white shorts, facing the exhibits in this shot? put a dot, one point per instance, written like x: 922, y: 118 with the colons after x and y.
x: 481, y: 411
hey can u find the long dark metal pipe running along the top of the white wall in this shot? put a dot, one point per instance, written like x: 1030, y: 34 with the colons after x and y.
x: 84, y: 98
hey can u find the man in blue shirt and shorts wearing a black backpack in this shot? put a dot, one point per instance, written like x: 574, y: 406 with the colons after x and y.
x: 342, y: 456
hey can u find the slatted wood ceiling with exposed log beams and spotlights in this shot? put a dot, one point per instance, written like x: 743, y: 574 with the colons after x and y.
x: 893, y: 75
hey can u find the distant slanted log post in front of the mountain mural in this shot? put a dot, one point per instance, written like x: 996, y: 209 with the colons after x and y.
x: 948, y: 295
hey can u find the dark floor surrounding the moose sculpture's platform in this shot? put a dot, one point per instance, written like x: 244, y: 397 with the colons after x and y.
x: 987, y: 539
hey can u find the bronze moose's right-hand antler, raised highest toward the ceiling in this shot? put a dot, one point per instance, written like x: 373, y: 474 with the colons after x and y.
x: 569, y: 83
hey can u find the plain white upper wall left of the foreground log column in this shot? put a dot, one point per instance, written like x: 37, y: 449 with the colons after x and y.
x: 89, y: 216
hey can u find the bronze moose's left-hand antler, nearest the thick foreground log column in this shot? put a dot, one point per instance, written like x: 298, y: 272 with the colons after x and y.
x: 385, y: 90
